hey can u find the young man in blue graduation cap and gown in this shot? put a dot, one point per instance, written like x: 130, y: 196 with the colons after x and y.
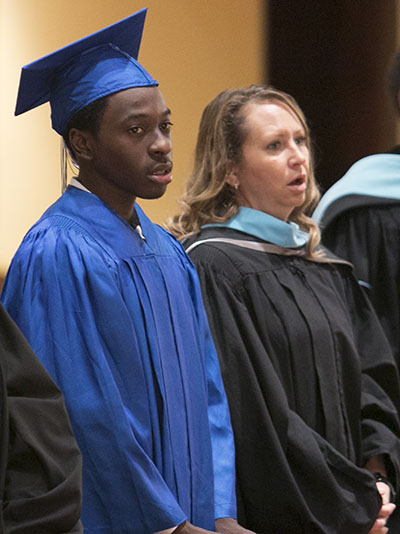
x: 112, y: 305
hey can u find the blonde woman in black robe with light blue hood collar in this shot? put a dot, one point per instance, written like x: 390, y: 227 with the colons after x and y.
x: 311, y: 382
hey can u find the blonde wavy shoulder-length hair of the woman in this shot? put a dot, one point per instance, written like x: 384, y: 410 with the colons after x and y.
x: 208, y: 198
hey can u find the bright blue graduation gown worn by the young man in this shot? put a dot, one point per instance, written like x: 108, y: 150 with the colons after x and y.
x: 119, y: 323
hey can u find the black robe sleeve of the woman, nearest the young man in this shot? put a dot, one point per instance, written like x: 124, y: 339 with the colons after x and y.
x: 287, y: 474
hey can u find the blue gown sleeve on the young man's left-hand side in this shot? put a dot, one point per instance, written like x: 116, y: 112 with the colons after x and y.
x: 64, y: 293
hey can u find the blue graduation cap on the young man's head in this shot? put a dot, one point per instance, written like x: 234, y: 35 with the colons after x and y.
x: 78, y: 74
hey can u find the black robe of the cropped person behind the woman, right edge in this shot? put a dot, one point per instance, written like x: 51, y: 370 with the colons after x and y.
x: 369, y: 235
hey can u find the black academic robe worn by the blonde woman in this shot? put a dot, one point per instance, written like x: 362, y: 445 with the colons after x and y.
x: 311, y: 383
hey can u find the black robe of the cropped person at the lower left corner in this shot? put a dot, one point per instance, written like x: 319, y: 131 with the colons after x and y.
x: 40, y: 464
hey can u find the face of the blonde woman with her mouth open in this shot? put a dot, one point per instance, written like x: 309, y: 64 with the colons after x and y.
x: 273, y: 170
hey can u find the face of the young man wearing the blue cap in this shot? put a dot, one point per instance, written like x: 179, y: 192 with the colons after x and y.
x: 132, y: 148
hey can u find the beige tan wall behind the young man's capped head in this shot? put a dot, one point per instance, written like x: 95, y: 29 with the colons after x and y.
x: 194, y: 48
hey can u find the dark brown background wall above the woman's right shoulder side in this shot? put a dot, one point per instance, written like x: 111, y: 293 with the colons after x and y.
x: 332, y: 56
